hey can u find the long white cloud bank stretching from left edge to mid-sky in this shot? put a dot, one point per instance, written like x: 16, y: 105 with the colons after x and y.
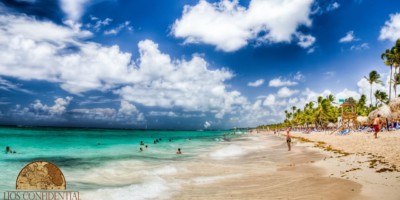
x: 153, y: 79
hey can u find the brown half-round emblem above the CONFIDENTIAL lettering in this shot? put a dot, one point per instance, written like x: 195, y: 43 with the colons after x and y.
x: 41, y: 175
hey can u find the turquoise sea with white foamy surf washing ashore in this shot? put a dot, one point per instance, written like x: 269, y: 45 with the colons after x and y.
x: 107, y: 164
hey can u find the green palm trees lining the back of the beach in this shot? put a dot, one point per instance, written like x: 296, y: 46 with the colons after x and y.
x: 324, y: 111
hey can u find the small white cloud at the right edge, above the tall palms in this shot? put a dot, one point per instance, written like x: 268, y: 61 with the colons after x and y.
x: 391, y: 29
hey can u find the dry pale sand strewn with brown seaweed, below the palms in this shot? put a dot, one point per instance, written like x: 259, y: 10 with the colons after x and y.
x: 358, y: 157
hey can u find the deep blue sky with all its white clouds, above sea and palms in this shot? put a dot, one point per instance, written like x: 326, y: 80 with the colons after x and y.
x: 185, y: 64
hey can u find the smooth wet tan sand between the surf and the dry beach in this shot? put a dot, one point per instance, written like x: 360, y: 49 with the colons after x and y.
x: 265, y: 173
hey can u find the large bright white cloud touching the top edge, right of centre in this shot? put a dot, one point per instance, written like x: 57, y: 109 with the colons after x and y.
x: 230, y: 26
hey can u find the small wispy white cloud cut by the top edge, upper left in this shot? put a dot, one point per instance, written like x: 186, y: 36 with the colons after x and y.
x: 74, y: 9
